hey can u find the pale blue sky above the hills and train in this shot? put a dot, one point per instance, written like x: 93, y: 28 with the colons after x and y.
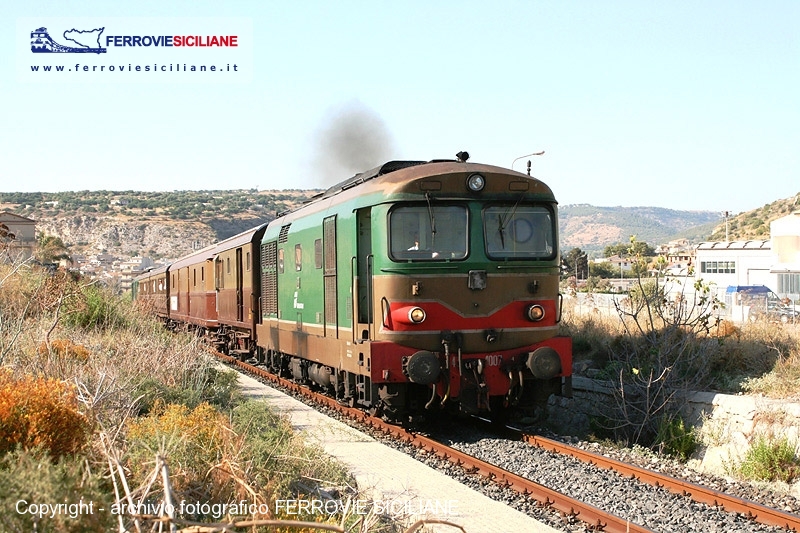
x: 684, y: 105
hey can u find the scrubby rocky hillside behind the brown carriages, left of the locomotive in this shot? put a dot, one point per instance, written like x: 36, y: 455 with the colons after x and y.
x: 158, y: 225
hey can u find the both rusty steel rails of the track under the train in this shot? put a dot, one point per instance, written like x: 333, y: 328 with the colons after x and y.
x: 570, y: 508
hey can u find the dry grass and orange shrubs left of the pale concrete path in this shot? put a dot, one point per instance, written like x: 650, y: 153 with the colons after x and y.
x: 153, y: 402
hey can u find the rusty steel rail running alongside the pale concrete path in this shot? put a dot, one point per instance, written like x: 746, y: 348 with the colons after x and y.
x: 595, y: 518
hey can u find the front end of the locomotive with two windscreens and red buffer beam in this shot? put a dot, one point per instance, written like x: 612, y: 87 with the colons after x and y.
x: 466, y: 292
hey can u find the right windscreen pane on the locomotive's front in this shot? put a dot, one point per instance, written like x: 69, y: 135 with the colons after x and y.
x: 519, y: 232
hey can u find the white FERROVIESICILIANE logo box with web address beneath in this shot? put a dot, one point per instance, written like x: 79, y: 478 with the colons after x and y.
x: 134, y: 49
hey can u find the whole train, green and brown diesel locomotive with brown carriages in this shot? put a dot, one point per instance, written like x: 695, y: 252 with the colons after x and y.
x: 411, y: 288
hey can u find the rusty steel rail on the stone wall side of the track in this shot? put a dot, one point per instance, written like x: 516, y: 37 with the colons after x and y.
x: 755, y: 511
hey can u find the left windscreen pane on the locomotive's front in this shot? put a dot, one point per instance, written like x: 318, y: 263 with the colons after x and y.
x: 428, y: 233
